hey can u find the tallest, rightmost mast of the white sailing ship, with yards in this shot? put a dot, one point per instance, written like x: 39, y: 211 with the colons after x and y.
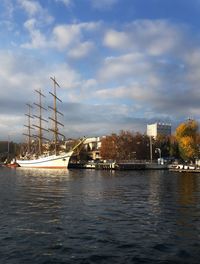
x: 54, y: 119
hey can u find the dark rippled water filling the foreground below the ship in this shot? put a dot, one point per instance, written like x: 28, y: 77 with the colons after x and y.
x: 88, y: 216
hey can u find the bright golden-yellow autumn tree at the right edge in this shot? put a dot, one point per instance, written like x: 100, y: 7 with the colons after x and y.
x: 187, y: 136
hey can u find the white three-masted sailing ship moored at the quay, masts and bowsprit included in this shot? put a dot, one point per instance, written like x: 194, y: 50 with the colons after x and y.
x: 35, y: 157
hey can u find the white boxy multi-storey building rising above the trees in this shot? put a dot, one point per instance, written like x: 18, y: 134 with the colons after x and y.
x: 153, y: 130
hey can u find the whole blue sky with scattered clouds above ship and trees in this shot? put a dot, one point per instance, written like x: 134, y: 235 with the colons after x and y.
x: 121, y: 64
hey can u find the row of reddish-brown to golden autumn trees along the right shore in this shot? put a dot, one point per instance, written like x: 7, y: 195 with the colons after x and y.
x: 184, y: 144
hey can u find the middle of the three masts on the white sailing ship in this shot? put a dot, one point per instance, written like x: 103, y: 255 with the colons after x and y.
x: 40, y: 119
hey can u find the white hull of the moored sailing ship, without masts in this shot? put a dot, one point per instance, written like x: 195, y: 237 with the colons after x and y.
x: 52, y: 161
